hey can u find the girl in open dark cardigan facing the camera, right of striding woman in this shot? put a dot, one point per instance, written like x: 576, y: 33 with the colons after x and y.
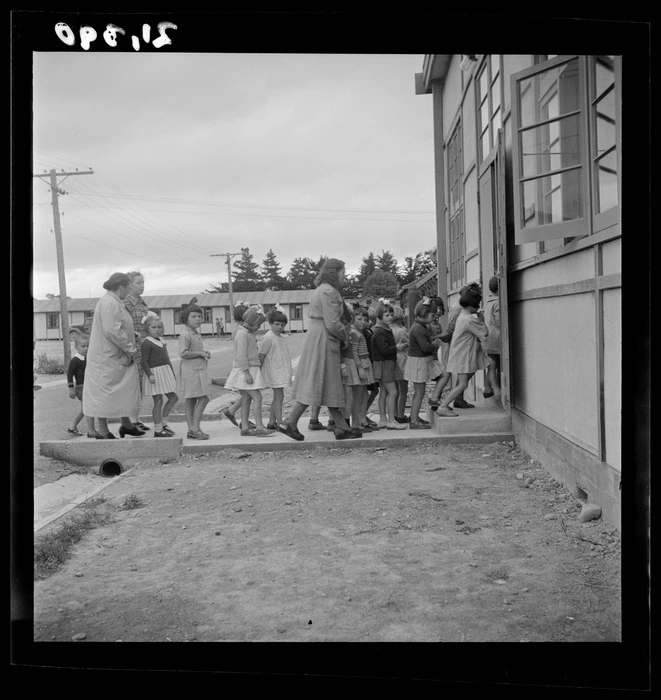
x: 384, y: 362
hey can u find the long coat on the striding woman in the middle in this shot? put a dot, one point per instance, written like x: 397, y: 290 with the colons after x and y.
x: 318, y: 380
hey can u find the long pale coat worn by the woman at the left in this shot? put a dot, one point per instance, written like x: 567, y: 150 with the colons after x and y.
x: 111, y: 386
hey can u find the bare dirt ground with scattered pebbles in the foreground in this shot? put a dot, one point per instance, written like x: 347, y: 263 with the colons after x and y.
x: 461, y: 543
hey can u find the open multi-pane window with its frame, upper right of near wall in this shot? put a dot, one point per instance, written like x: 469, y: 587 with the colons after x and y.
x: 564, y: 152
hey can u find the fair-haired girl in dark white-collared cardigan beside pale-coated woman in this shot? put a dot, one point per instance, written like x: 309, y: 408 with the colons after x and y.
x: 158, y: 376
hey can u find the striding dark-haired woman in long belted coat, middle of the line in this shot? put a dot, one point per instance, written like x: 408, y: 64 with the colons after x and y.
x: 318, y: 379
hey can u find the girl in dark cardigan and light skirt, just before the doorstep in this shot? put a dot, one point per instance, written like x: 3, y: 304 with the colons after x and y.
x: 421, y: 364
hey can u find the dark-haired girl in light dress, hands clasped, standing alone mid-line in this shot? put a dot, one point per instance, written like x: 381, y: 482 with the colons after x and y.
x: 192, y: 375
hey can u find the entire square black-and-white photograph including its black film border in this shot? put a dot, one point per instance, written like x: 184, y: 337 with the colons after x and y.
x: 329, y: 347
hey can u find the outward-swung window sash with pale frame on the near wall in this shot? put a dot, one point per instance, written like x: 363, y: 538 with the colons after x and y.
x: 567, y: 229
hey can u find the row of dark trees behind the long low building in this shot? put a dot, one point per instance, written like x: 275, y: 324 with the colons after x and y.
x: 378, y: 275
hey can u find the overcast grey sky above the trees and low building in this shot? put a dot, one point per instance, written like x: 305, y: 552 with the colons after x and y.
x: 195, y: 154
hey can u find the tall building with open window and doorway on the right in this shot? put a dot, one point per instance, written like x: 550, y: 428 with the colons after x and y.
x: 528, y: 188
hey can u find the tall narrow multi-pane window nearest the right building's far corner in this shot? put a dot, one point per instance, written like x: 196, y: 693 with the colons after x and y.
x: 456, y: 208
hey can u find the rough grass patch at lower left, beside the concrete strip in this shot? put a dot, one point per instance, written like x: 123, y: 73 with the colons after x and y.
x: 54, y: 548
